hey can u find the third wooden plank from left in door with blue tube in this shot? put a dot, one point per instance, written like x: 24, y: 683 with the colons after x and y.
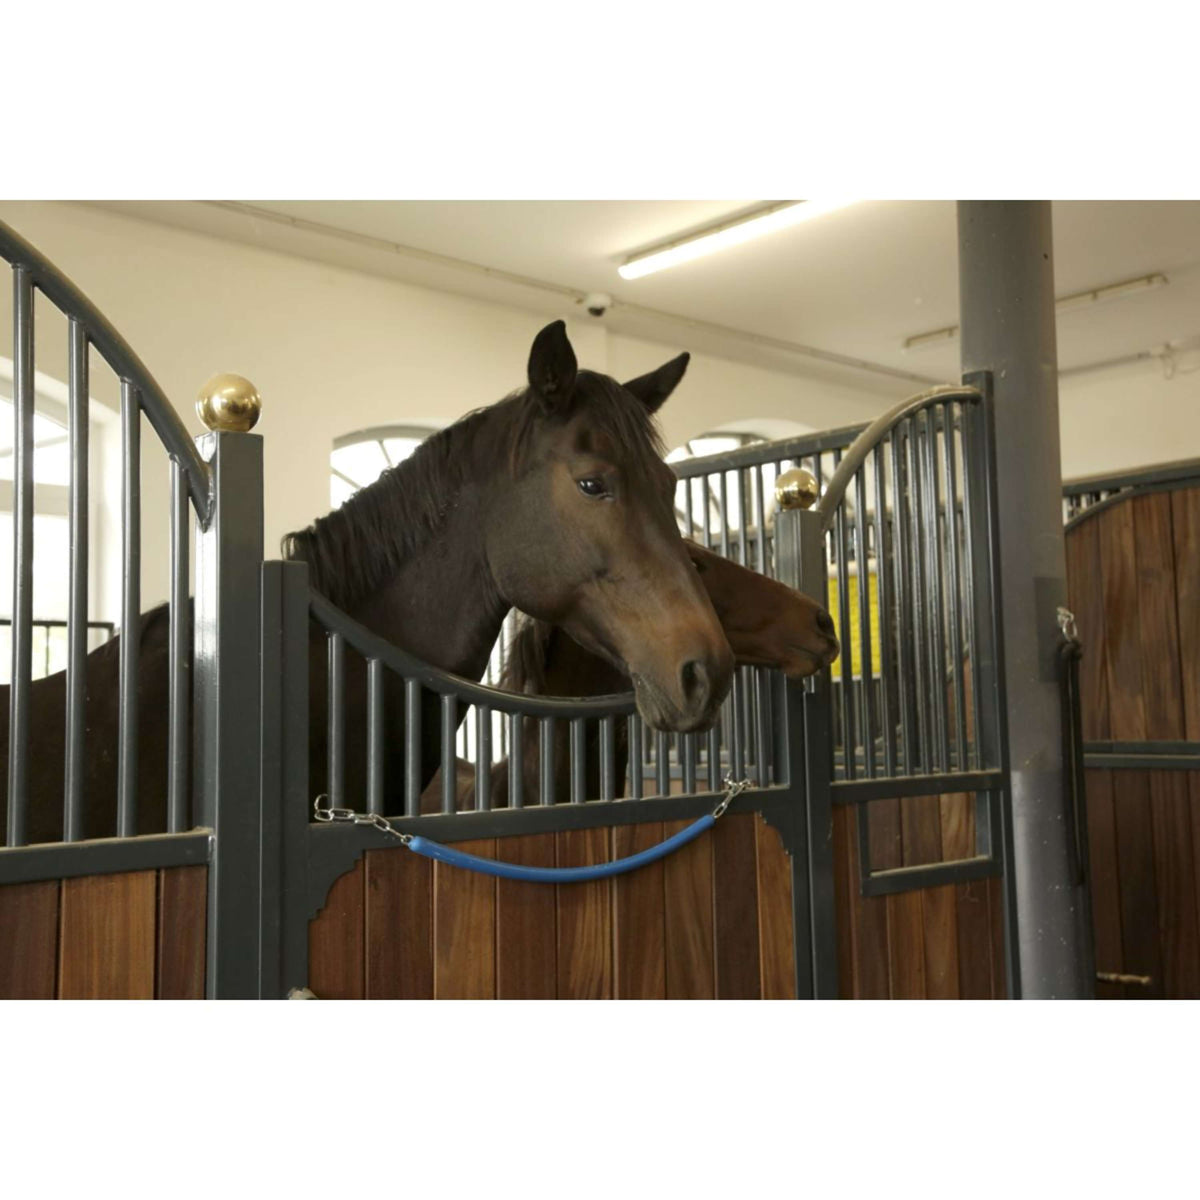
x: 465, y: 928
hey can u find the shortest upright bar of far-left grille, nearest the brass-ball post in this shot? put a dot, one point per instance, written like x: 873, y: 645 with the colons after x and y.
x: 181, y: 668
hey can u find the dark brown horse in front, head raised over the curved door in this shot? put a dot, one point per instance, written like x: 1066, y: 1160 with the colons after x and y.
x: 555, y: 501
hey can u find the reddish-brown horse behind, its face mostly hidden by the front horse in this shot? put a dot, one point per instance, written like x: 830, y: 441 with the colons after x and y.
x: 767, y: 625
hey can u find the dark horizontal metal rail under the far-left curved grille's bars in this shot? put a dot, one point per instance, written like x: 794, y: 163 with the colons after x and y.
x: 104, y: 856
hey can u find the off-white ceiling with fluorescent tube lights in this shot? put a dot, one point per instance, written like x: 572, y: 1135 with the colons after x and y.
x: 853, y: 285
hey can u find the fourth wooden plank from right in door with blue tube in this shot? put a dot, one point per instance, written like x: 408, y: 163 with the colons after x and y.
x: 639, y: 919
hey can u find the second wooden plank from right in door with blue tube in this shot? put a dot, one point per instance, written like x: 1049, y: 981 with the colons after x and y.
x: 736, y: 922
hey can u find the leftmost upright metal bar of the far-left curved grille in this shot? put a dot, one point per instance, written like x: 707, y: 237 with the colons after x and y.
x: 23, y: 556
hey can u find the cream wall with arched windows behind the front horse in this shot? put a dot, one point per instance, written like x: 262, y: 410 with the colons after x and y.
x: 333, y: 351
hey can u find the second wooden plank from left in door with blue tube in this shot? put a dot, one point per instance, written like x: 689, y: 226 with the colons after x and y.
x: 399, y: 926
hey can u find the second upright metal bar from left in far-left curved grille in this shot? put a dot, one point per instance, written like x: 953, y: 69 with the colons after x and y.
x: 77, y: 613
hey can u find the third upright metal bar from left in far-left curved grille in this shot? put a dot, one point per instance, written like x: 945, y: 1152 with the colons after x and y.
x: 131, y: 610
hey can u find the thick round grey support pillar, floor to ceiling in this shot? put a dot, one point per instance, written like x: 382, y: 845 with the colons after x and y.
x: 1006, y: 280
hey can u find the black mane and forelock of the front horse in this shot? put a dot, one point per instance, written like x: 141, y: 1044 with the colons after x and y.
x: 355, y: 550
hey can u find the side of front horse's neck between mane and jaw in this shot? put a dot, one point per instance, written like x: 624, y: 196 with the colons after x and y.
x: 441, y: 604
